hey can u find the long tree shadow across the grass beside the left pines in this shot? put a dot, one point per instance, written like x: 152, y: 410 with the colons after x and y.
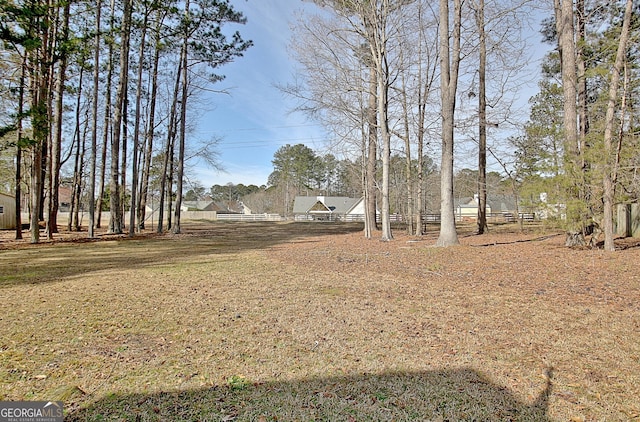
x: 47, y: 262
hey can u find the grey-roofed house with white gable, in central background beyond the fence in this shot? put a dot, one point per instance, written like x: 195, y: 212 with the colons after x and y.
x: 328, y: 208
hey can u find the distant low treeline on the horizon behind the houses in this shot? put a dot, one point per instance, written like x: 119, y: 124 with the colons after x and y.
x: 300, y: 171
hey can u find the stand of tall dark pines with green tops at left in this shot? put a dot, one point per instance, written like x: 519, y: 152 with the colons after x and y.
x: 105, y: 89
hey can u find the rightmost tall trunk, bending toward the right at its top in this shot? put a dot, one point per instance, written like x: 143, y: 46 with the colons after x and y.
x: 609, y: 170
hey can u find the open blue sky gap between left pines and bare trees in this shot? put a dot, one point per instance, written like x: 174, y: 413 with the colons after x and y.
x: 255, y: 118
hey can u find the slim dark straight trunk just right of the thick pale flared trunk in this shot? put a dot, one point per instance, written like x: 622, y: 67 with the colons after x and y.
x: 482, y: 122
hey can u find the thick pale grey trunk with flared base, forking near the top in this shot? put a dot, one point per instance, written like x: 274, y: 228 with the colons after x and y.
x: 449, y: 65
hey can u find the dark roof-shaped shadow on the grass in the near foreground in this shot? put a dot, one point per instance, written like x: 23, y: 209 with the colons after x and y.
x: 448, y: 395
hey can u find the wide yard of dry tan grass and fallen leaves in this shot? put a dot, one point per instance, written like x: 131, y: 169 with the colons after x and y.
x: 308, y: 321
